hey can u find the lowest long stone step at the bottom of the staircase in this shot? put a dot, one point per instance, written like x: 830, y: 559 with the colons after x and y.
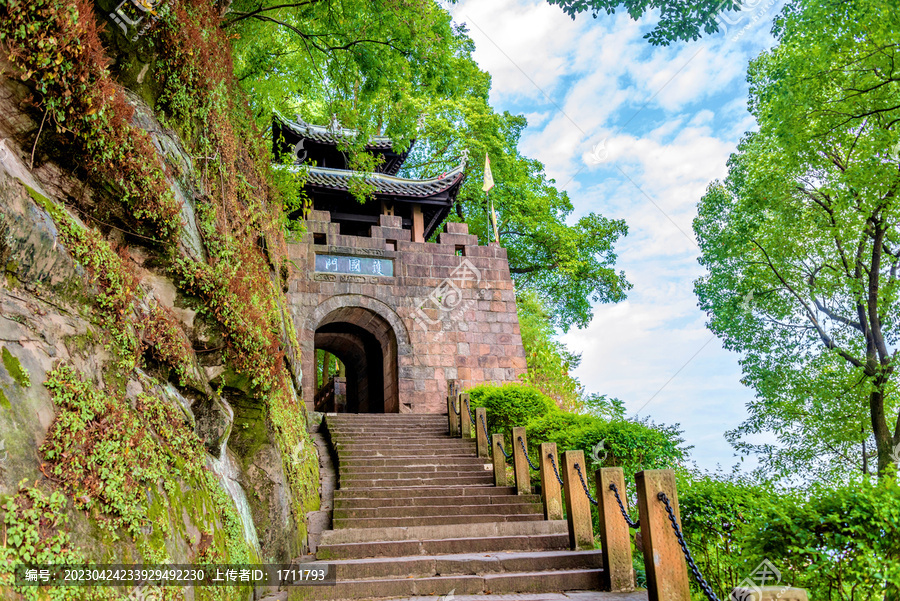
x: 495, y: 583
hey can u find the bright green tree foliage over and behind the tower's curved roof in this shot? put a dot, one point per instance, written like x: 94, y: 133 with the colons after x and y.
x: 382, y: 67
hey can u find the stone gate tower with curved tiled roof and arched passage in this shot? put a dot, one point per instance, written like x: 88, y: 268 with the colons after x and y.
x: 405, y: 316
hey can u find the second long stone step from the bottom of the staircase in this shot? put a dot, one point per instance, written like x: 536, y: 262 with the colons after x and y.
x: 424, y: 566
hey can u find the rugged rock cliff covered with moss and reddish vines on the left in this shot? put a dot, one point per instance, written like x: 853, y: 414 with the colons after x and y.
x: 149, y: 405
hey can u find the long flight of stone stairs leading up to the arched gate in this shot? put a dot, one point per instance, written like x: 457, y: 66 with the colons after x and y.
x: 416, y: 514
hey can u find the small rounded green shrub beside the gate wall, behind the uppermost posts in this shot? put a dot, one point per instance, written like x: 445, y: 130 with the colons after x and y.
x: 511, y: 405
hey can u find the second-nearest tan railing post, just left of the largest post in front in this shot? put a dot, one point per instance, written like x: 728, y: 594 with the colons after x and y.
x: 615, y: 537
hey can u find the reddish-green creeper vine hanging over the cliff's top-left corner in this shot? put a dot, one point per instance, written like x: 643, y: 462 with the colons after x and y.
x: 56, y: 49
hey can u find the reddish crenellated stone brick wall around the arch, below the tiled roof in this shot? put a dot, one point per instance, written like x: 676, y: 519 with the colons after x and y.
x: 448, y: 312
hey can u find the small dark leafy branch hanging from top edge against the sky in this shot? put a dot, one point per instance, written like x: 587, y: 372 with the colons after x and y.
x: 677, y: 20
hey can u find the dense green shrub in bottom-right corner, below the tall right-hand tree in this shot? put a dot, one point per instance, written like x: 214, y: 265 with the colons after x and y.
x: 840, y: 543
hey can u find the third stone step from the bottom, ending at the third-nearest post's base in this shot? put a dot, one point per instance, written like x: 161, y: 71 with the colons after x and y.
x: 473, y: 530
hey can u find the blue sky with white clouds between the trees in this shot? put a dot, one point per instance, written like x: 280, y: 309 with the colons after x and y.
x: 635, y: 132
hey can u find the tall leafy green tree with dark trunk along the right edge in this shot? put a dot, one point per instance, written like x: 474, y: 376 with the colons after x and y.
x: 801, y: 241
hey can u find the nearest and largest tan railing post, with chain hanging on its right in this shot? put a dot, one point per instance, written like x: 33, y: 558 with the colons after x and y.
x: 667, y: 577
